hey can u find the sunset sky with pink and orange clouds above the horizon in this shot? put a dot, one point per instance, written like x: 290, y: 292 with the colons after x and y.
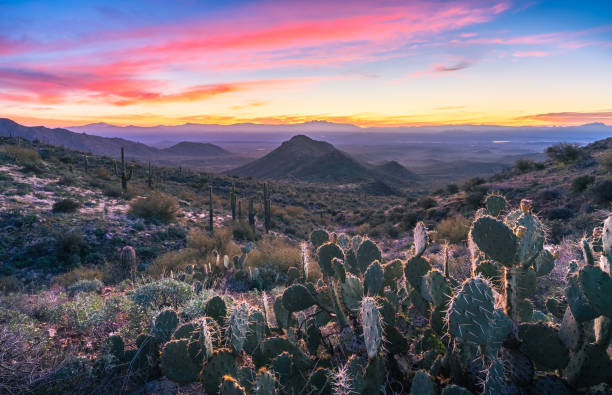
x: 369, y: 63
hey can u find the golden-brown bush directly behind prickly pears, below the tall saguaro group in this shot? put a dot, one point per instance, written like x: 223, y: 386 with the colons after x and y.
x: 276, y: 252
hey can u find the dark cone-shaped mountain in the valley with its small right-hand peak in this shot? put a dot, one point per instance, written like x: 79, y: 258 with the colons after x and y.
x: 304, y: 159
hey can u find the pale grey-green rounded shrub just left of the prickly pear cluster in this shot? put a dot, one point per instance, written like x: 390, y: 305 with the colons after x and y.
x: 162, y: 293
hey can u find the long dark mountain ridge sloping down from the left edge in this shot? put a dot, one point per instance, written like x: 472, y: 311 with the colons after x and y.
x: 105, y: 145
